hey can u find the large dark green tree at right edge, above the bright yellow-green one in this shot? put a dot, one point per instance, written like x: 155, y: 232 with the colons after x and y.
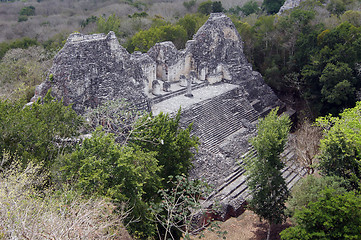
x: 329, y: 76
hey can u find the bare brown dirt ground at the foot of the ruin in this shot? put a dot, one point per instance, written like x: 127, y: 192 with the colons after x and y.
x: 245, y: 227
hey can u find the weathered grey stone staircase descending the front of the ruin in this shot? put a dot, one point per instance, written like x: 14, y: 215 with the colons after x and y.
x: 214, y: 121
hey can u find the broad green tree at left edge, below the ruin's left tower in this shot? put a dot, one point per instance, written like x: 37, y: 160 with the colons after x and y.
x: 37, y: 132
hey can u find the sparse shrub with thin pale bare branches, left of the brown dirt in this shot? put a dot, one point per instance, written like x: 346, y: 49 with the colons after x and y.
x: 180, y: 206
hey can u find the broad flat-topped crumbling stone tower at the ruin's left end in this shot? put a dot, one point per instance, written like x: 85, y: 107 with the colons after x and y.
x: 92, y: 69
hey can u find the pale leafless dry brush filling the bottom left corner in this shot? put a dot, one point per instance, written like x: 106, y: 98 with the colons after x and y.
x: 26, y: 213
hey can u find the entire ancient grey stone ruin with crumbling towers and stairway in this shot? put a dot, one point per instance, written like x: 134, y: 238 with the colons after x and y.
x: 210, y: 79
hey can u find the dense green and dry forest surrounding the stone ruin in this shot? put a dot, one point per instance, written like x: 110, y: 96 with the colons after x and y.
x: 117, y: 173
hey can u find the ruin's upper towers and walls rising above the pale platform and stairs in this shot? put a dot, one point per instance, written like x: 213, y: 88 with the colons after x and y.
x: 91, y: 69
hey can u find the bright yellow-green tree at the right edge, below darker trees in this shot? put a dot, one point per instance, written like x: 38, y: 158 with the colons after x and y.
x: 341, y: 145
